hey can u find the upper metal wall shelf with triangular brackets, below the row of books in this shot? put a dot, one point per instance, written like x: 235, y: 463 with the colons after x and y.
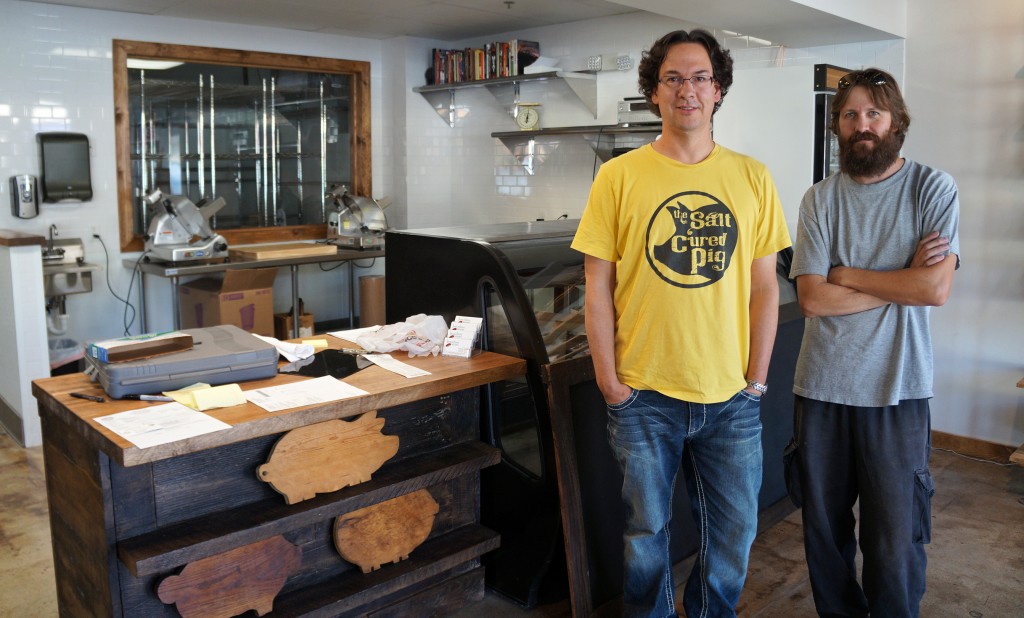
x: 443, y: 97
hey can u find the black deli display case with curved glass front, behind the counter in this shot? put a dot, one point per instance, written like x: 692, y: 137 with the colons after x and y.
x: 528, y: 285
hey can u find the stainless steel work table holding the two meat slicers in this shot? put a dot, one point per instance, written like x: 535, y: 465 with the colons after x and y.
x: 176, y: 271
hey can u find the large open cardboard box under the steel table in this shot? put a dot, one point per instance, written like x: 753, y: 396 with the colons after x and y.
x: 243, y: 298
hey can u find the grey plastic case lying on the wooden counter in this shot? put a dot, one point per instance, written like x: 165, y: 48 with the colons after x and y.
x: 220, y: 356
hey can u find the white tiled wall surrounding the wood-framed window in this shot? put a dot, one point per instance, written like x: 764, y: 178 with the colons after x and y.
x: 57, y: 76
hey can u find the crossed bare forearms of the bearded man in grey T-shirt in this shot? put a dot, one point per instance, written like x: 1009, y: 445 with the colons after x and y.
x: 927, y: 282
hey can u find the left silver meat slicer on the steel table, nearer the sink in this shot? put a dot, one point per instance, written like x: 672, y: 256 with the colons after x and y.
x: 181, y: 231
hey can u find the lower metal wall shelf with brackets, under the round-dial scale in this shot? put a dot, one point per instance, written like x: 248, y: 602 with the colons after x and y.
x: 608, y: 141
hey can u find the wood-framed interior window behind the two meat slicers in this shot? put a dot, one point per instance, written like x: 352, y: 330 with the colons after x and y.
x: 270, y: 134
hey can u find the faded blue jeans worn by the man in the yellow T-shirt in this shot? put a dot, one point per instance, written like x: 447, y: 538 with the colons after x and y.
x: 719, y: 447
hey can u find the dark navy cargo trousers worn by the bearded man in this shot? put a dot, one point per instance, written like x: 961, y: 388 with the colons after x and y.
x: 877, y: 456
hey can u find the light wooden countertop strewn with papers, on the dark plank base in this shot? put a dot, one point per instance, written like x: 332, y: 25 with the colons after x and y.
x: 484, y: 369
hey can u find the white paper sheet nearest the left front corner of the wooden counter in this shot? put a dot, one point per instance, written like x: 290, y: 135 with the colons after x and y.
x: 161, y: 424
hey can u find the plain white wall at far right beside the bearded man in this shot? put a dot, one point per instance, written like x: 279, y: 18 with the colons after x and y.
x: 965, y: 89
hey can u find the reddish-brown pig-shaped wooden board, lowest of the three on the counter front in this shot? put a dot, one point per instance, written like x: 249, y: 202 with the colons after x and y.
x: 236, y: 582
